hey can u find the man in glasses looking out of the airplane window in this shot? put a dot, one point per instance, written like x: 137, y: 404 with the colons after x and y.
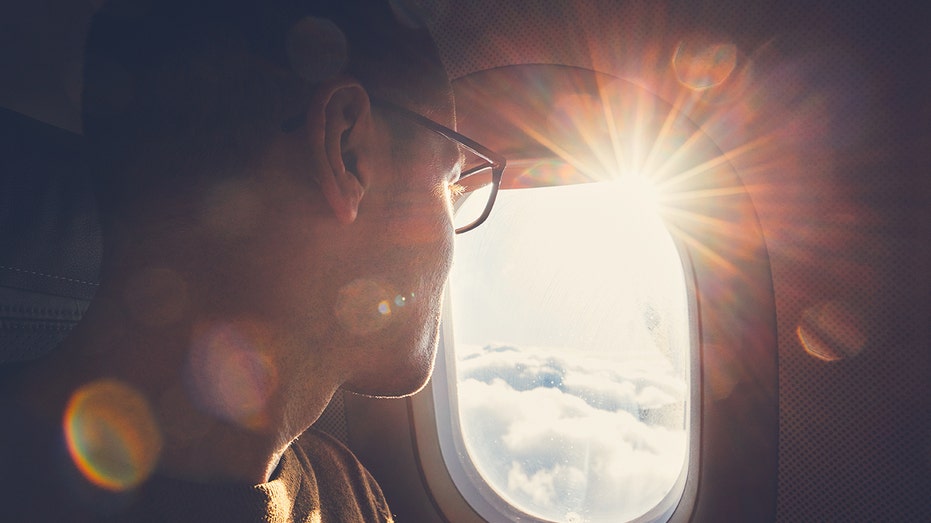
x: 277, y: 225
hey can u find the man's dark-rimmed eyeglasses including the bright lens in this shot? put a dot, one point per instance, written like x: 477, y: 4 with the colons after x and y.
x: 479, y: 178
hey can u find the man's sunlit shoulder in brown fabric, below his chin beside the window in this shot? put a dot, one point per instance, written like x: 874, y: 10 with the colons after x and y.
x: 344, y: 484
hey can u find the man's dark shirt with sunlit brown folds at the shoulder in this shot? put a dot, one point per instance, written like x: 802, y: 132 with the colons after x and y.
x: 317, y: 480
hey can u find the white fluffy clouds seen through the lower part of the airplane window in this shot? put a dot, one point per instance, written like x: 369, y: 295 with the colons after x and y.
x: 572, y: 436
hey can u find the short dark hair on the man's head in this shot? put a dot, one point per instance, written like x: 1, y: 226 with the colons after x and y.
x: 180, y: 91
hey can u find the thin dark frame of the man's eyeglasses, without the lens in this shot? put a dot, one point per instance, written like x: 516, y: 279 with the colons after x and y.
x: 497, y: 162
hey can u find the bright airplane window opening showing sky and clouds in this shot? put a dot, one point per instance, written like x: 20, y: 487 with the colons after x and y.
x: 567, y: 339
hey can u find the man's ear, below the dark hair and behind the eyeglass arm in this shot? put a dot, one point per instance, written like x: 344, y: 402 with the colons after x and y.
x: 339, y: 125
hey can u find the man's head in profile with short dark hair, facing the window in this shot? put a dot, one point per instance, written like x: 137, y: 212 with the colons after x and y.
x: 242, y: 156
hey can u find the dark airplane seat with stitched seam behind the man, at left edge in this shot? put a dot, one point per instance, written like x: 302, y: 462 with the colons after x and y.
x: 49, y: 236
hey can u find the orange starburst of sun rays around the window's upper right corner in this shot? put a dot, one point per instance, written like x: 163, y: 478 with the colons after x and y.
x: 752, y: 149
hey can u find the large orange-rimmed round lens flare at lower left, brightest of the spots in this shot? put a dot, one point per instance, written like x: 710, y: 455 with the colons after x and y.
x: 112, y: 435
